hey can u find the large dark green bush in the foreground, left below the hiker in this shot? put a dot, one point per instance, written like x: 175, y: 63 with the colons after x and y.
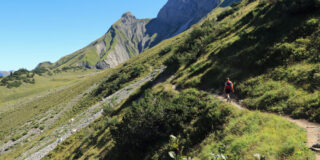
x: 152, y: 119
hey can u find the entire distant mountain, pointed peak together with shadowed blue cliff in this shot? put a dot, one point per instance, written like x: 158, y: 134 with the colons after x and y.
x: 130, y: 36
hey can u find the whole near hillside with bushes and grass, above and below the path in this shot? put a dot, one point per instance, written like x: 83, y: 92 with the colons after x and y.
x: 270, y: 49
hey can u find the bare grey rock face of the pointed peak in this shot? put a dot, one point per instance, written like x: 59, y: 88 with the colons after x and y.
x: 130, y: 38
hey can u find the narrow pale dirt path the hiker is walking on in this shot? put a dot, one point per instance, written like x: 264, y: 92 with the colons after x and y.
x: 313, y: 129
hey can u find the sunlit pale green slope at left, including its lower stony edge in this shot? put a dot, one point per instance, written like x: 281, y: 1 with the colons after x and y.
x: 33, y: 110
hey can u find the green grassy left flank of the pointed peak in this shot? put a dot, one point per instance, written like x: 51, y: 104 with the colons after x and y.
x: 89, y: 56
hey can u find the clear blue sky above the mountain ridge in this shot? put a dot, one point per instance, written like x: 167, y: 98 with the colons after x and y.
x: 33, y: 31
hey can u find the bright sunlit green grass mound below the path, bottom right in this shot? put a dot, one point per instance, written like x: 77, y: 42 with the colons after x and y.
x: 251, y: 133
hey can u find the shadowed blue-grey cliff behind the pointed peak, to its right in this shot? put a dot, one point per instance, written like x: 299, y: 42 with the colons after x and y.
x: 179, y: 15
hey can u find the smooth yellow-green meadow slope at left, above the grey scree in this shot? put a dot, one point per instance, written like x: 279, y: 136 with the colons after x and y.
x: 54, y: 91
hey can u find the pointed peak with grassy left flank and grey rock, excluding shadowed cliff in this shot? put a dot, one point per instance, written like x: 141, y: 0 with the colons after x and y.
x: 125, y: 39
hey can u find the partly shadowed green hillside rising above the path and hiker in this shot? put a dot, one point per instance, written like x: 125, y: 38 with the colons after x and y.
x: 274, y: 68
